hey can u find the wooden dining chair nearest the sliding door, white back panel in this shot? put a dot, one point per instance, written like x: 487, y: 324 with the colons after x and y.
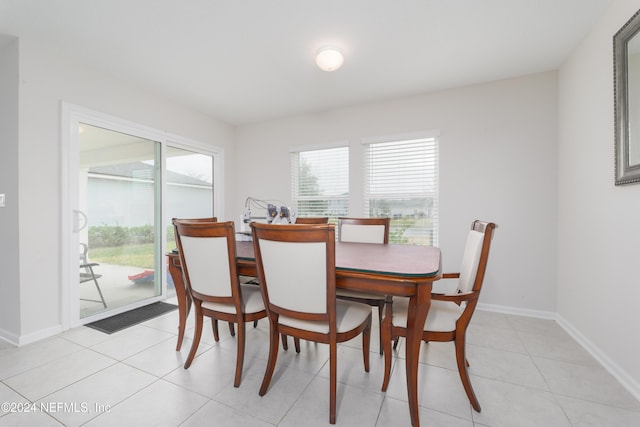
x: 208, y: 256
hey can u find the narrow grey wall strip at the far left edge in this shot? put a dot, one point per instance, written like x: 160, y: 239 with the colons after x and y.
x: 10, y: 300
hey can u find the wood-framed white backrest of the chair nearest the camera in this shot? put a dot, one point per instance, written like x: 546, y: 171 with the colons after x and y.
x: 296, y: 268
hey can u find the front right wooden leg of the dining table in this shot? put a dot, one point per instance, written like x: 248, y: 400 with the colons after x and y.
x: 418, y: 309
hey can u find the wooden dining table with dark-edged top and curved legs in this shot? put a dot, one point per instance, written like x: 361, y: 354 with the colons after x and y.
x: 387, y: 269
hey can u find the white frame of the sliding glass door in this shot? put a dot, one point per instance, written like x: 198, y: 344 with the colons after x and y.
x: 71, y: 117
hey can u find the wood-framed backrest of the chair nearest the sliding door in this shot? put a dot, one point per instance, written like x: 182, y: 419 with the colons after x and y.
x: 208, y: 256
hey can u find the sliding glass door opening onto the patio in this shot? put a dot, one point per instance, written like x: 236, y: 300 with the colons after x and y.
x: 121, y: 185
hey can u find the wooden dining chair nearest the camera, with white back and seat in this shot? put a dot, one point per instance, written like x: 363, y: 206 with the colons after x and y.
x: 296, y: 267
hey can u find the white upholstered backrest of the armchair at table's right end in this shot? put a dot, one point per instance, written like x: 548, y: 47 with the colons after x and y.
x: 476, y: 254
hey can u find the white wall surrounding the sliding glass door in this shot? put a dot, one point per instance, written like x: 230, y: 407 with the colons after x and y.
x: 46, y: 78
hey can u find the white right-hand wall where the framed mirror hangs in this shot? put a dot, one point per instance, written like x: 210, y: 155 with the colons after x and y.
x: 598, y: 223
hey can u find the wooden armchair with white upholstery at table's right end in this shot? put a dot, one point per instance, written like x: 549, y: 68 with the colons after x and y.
x: 449, y: 314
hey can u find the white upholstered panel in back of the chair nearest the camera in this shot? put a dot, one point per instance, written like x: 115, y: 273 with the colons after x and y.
x: 295, y: 274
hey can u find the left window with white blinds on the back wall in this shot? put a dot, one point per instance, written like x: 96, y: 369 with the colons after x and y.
x: 320, y: 182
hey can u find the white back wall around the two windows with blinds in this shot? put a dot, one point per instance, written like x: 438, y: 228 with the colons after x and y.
x: 498, y: 154
